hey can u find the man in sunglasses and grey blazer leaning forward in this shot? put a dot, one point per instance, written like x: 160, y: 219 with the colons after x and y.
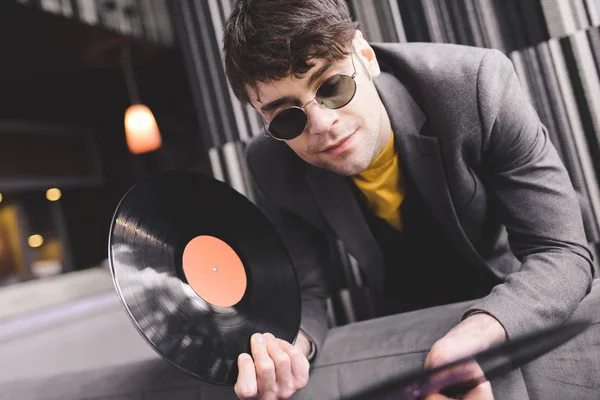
x: 429, y: 164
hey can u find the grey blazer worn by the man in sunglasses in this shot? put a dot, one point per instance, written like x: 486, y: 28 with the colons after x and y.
x: 483, y: 163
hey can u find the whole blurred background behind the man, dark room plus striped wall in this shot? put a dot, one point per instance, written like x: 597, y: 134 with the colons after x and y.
x: 66, y: 83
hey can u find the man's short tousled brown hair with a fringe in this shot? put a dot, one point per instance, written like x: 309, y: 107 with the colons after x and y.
x: 271, y: 39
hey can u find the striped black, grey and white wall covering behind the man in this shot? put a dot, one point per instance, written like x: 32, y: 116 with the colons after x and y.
x: 553, y: 44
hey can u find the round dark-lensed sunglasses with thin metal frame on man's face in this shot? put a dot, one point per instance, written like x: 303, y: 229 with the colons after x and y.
x: 333, y: 93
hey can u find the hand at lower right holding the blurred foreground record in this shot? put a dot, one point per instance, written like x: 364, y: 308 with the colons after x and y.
x: 476, y: 333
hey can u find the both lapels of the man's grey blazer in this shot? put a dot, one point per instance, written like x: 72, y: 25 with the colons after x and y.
x: 420, y: 157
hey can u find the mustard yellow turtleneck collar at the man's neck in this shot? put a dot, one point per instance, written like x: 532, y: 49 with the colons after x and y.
x: 383, y: 185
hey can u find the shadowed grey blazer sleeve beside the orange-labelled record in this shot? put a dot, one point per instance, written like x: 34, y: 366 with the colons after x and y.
x: 308, y: 252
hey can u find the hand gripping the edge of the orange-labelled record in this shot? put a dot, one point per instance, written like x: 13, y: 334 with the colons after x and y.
x: 278, y: 370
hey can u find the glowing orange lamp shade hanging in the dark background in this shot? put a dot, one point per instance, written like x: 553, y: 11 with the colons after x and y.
x: 141, y: 130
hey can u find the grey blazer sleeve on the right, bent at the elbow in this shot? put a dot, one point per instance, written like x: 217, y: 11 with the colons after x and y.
x: 530, y: 190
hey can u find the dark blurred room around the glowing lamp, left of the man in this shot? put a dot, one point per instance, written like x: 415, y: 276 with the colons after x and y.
x: 64, y: 91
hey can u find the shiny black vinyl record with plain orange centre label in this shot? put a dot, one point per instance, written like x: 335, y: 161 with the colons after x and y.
x: 199, y: 269
